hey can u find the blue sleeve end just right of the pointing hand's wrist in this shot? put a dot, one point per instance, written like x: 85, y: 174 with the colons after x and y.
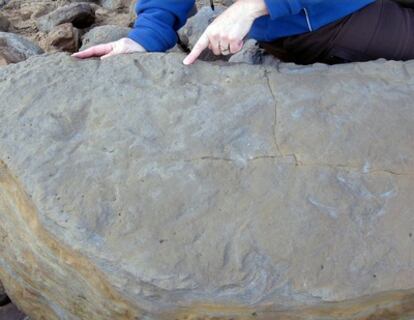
x: 281, y: 8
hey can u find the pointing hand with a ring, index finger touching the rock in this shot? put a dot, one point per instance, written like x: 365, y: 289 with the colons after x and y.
x: 226, y: 33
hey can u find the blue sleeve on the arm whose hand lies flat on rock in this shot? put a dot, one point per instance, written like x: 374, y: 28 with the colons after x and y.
x: 158, y: 21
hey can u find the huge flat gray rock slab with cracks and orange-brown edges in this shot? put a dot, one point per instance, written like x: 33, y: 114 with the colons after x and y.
x: 151, y: 190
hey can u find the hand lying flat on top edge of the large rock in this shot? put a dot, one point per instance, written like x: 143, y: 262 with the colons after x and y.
x: 105, y: 50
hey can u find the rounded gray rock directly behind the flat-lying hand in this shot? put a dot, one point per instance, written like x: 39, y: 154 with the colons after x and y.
x: 103, y: 34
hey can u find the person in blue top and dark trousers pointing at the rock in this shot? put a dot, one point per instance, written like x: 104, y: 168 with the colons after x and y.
x: 301, y: 31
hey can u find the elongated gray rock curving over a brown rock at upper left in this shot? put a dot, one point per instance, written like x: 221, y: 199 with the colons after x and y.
x: 81, y: 15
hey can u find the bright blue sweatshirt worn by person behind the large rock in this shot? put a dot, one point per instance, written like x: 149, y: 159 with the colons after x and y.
x: 159, y: 20
